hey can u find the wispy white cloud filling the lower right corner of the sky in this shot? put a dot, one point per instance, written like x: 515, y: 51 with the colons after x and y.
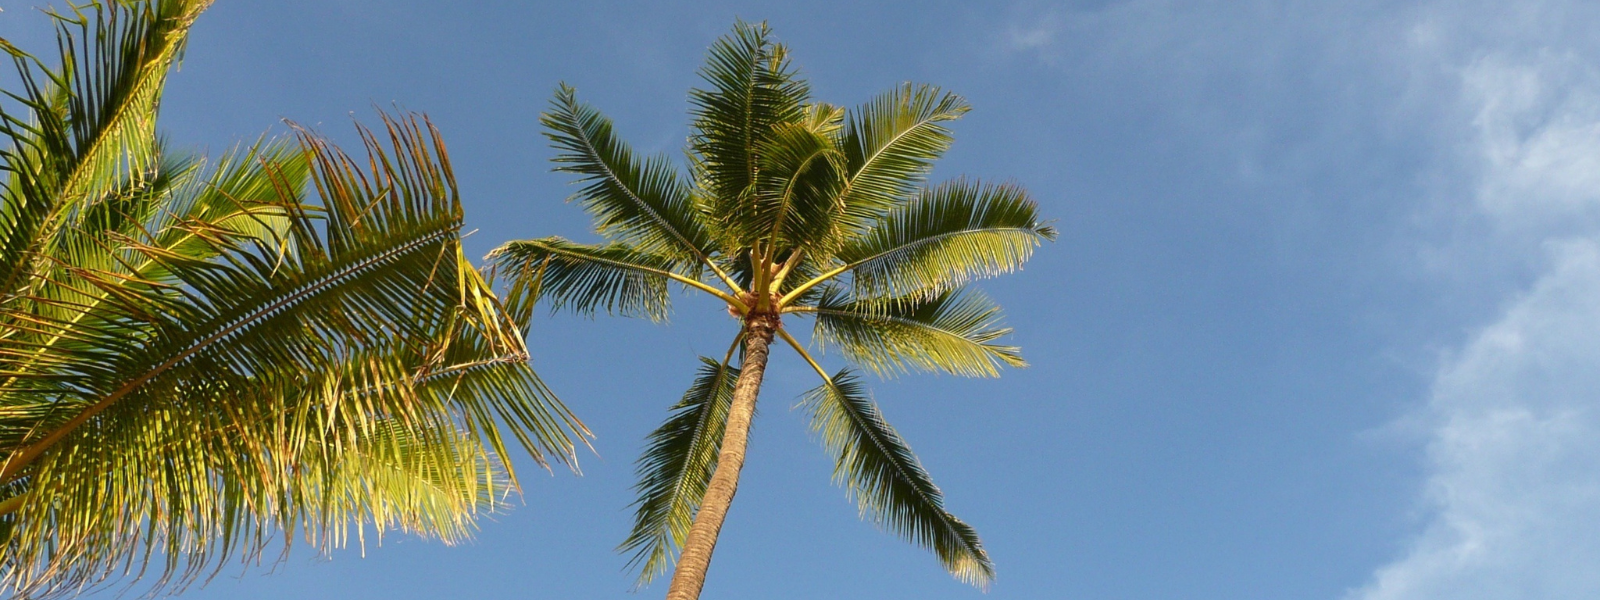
x: 1516, y: 454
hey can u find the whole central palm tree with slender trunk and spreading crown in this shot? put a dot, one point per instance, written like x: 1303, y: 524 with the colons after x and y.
x: 790, y: 209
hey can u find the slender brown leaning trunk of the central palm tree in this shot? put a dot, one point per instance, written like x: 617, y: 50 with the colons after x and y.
x: 690, y: 575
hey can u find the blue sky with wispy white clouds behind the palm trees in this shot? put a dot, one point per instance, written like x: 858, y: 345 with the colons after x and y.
x: 1324, y: 321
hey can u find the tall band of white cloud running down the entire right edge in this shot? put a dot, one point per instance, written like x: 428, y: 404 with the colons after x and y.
x: 1514, y: 441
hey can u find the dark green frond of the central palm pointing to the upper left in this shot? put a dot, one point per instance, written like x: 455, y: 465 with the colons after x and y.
x: 641, y: 202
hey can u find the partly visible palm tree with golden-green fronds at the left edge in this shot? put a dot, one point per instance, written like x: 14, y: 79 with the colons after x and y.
x: 199, y: 358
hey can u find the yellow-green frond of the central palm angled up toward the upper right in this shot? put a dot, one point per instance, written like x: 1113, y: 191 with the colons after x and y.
x: 890, y: 146
